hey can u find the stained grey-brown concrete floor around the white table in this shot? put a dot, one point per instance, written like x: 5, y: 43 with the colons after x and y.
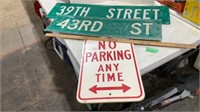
x: 32, y: 77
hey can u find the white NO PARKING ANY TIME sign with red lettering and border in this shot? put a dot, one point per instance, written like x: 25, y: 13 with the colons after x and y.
x: 109, y: 73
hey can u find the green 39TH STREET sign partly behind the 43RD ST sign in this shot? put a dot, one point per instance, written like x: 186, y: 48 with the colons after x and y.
x: 112, y: 12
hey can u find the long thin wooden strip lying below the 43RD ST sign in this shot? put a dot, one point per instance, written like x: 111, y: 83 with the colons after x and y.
x: 137, y: 42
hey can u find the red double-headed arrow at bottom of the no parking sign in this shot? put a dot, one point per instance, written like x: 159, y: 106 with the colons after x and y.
x: 124, y: 87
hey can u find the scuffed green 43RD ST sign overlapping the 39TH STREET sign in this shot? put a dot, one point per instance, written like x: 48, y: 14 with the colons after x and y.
x: 119, y: 28
